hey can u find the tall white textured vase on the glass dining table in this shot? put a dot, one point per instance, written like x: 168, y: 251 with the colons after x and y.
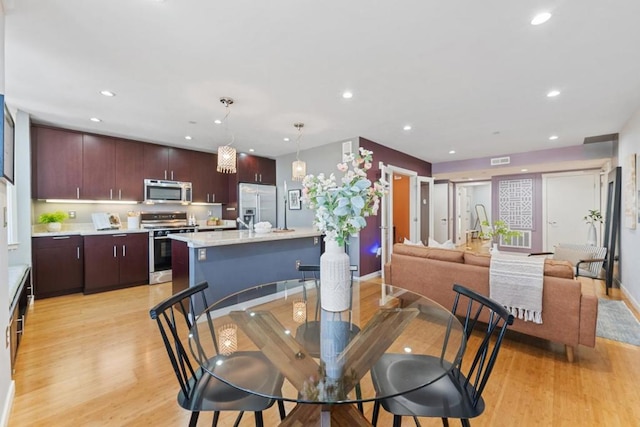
x: 335, y: 278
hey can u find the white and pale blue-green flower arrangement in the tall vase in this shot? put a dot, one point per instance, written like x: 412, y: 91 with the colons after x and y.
x: 340, y: 211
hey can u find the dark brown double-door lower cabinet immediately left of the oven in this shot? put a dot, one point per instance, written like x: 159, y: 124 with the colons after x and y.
x: 115, y: 261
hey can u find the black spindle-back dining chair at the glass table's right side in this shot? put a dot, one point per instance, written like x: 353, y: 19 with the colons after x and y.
x: 454, y: 395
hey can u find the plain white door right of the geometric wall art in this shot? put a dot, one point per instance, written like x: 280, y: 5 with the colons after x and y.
x: 567, y: 198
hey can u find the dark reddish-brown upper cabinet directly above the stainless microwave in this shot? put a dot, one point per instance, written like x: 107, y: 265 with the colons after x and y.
x: 167, y: 163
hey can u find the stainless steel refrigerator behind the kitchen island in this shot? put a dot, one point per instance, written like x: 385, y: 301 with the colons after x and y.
x: 257, y: 203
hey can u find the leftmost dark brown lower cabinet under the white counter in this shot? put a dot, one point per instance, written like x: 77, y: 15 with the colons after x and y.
x: 57, y: 265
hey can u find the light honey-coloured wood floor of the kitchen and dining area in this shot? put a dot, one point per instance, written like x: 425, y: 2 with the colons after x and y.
x: 98, y: 360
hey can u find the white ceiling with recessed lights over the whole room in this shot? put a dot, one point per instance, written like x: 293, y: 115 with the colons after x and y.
x: 470, y: 76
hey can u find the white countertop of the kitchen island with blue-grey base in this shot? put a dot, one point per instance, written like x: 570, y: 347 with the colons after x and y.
x: 237, y: 237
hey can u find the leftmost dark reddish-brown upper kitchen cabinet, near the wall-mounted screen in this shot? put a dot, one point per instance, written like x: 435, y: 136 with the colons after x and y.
x: 57, y: 168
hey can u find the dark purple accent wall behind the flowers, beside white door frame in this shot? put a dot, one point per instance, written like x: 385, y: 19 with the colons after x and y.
x: 370, y: 235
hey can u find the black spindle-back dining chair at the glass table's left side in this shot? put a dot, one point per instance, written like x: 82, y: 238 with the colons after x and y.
x: 199, y: 390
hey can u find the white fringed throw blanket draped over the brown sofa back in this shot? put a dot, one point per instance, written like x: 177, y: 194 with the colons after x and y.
x: 516, y: 283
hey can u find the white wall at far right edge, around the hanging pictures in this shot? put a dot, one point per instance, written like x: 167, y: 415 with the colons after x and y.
x: 630, y: 238
